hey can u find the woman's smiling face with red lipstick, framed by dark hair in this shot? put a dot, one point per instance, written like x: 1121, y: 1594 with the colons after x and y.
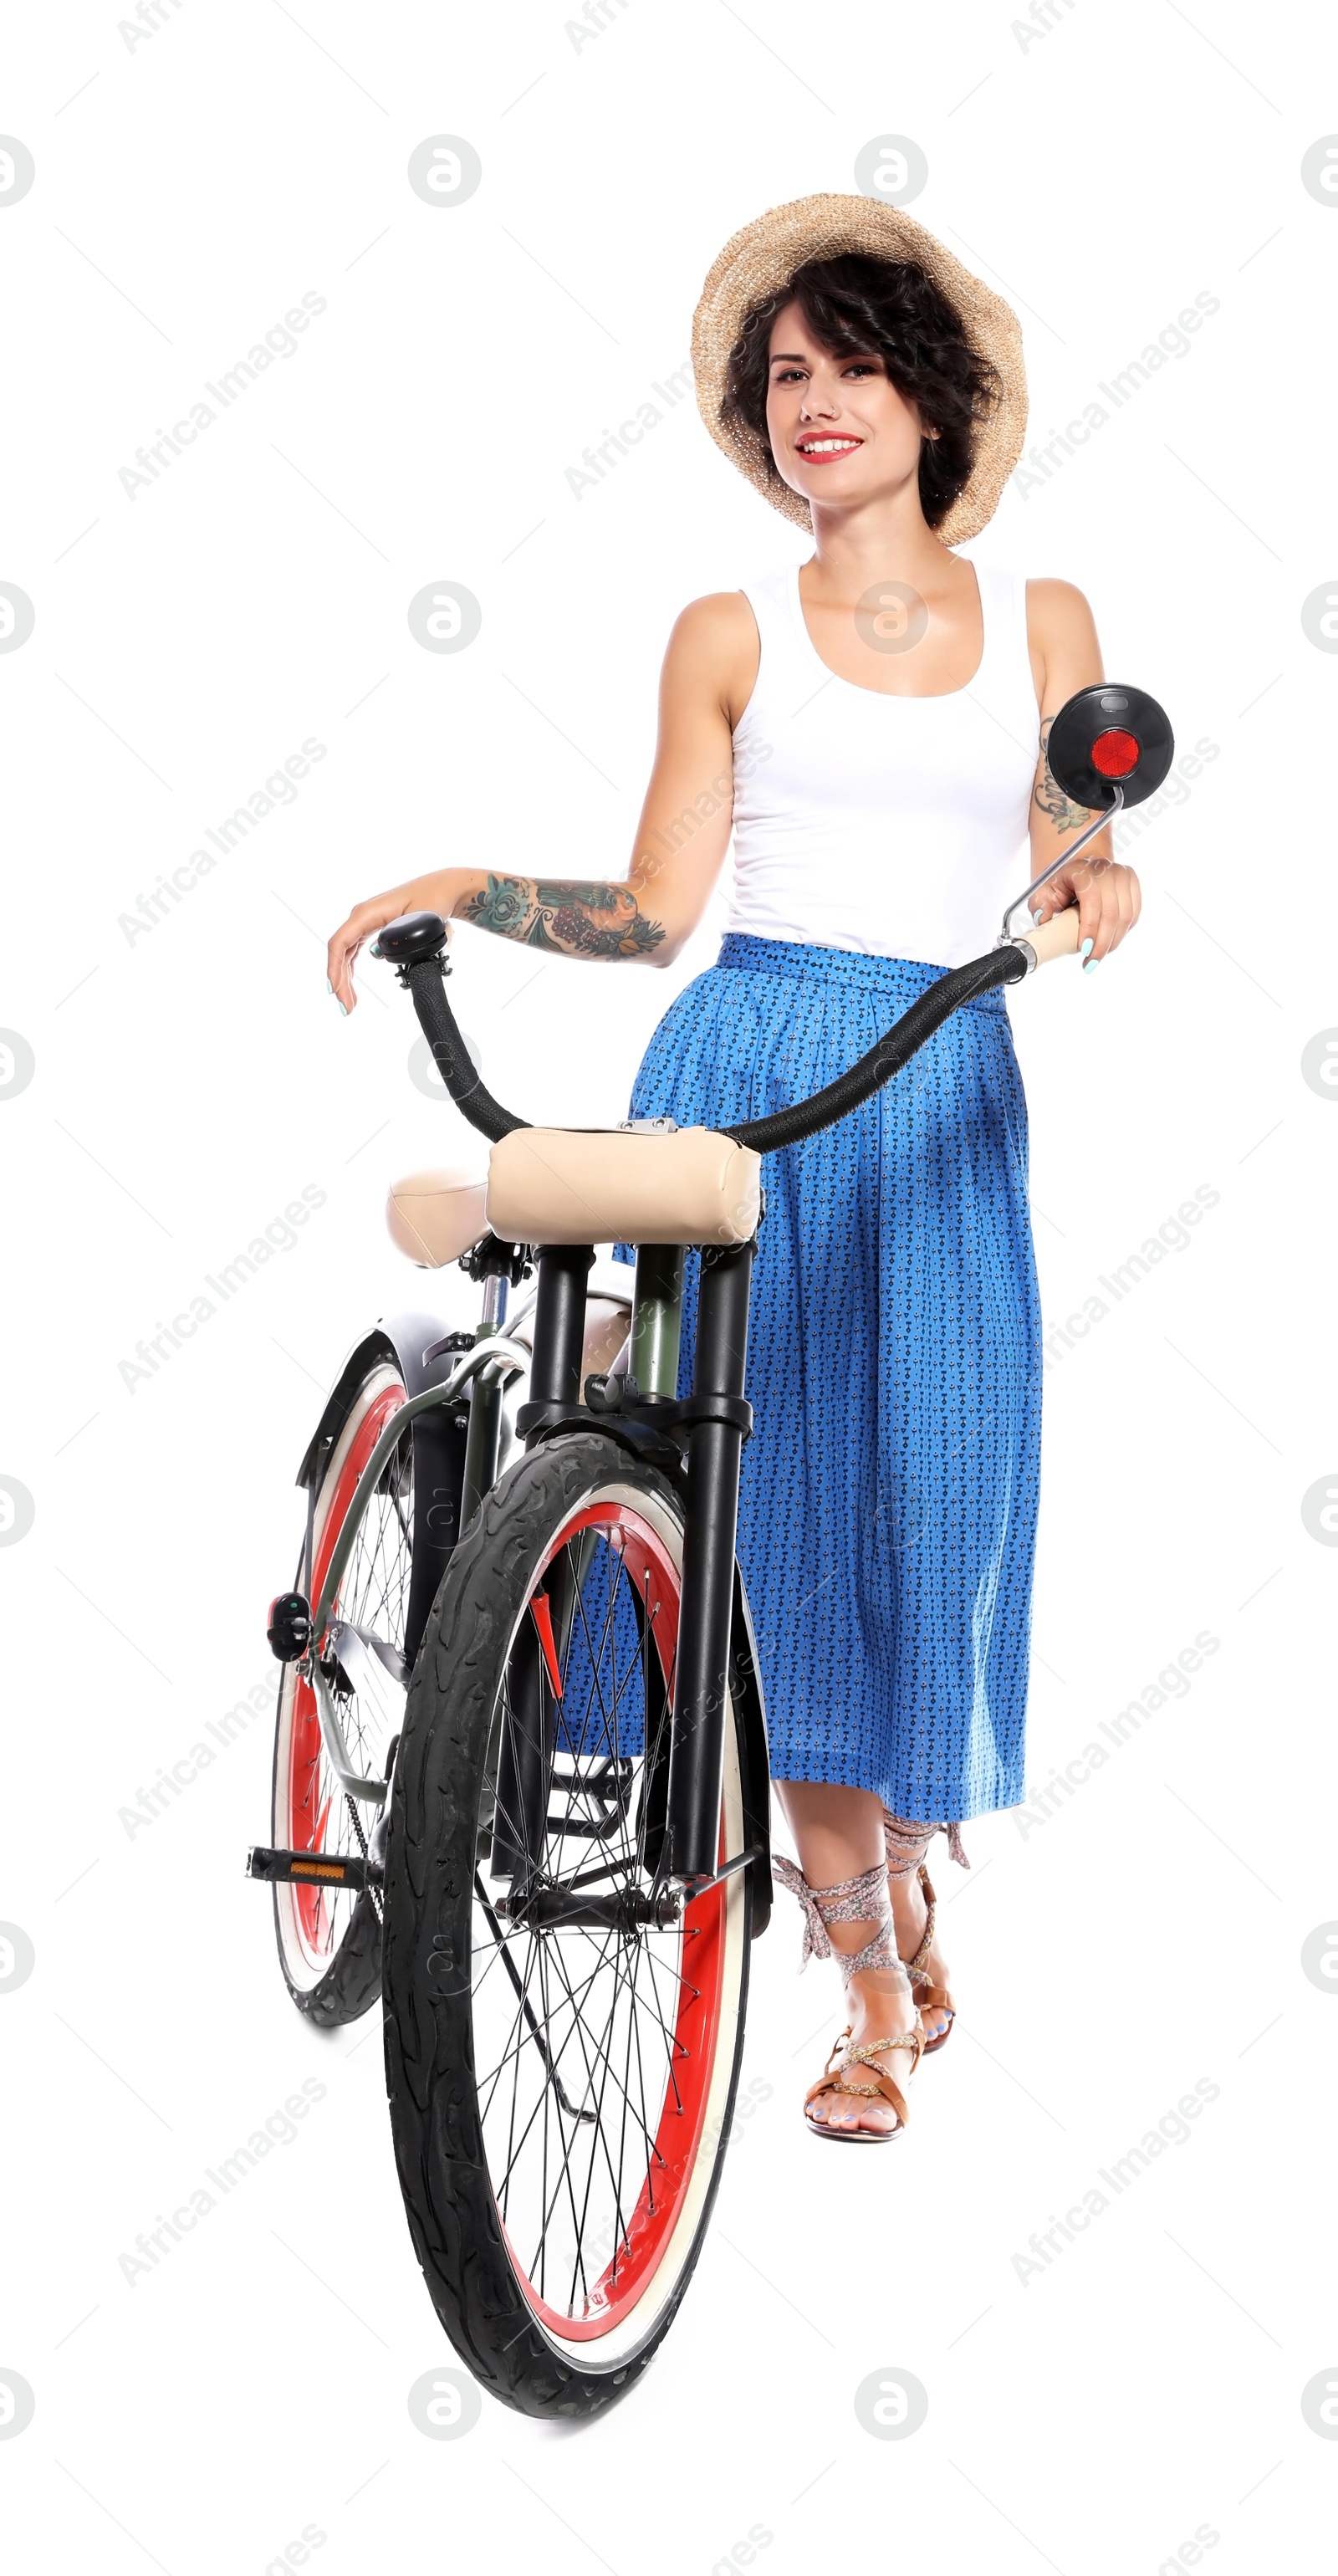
x: 839, y: 429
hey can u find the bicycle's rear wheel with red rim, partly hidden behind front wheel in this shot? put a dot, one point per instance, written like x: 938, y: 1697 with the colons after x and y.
x: 329, y: 1938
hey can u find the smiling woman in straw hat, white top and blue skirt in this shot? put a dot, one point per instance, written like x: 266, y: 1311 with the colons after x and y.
x: 873, y: 733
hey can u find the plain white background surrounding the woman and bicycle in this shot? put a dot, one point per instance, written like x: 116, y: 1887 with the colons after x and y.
x: 189, y: 189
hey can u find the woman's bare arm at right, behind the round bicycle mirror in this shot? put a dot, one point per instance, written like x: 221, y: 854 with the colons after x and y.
x: 1069, y: 658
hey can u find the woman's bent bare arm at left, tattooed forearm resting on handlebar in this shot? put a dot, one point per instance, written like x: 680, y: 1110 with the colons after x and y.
x: 682, y: 838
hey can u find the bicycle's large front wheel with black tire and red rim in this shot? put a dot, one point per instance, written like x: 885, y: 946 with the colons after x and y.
x: 561, y: 2090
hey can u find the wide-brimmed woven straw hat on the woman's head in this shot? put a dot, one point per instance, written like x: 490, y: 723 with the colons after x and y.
x: 819, y: 228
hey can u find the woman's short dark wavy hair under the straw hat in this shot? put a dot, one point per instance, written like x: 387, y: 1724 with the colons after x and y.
x: 857, y: 308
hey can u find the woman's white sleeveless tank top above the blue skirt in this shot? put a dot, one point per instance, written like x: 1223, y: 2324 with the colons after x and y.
x: 888, y: 826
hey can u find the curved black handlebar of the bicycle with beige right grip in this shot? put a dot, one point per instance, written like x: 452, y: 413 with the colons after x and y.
x: 416, y: 947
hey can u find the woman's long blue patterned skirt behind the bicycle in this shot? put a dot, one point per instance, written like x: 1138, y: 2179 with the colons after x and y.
x: 888, y: 1503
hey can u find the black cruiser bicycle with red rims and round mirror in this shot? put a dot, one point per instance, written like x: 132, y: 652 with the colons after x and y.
x: 571, y: 1846
